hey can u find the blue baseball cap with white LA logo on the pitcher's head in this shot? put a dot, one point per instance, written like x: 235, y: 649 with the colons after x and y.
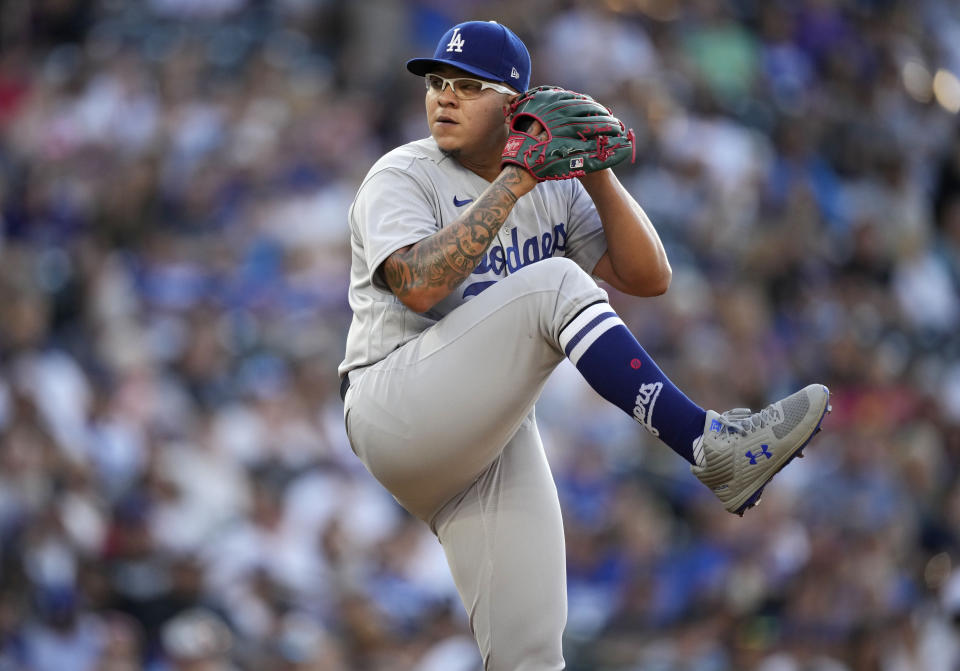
x: 482, y: 48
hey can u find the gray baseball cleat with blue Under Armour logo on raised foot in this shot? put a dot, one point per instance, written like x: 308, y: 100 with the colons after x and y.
x: 740, y: 451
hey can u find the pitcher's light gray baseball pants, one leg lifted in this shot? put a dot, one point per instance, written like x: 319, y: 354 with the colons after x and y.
x: 446, y: 424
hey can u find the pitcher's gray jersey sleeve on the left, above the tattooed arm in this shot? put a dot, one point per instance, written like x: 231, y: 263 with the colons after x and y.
x: 392, y: 210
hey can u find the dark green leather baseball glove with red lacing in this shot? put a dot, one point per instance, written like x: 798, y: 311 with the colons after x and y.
x: 580, y: 135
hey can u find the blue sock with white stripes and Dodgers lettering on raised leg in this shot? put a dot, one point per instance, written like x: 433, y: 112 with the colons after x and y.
x: 612, y: 361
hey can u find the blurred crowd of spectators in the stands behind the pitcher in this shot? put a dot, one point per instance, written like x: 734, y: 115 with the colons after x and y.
x: 176, y: 490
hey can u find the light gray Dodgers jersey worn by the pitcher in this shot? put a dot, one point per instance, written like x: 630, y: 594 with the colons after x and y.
x: 413, y: 192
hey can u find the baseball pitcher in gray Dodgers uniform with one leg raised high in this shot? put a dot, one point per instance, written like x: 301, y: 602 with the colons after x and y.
x: 476, y: 254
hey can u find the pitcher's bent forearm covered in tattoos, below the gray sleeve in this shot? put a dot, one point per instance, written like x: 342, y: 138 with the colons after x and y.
x: 423, y: 274
